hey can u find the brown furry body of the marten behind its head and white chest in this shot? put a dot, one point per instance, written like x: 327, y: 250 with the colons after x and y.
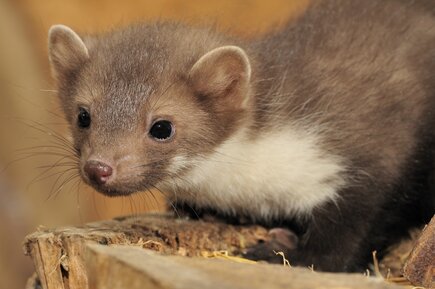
x: 363, y: 73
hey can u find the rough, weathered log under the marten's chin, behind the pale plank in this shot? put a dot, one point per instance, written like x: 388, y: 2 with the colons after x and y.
x: 58, y: 253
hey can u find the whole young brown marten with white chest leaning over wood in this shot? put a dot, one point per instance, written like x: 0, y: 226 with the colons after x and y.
x: 322, y: 130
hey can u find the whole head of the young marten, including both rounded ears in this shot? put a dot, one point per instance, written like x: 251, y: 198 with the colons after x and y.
x: 141, y: 116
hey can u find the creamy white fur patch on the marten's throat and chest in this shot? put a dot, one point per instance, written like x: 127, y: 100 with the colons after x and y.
x: 281, y: 174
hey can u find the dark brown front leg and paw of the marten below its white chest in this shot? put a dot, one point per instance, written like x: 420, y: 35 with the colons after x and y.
x: 335, y: 239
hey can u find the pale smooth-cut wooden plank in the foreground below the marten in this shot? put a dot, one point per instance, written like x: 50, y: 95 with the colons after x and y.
x: 129, y: 267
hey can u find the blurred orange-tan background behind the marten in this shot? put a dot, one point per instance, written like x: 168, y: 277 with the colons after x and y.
x: 34, y: 191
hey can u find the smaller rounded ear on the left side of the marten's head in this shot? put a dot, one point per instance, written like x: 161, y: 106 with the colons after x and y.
x: 66, y: 50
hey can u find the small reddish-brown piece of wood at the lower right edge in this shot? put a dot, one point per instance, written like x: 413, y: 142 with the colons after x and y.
x: 420, y: 266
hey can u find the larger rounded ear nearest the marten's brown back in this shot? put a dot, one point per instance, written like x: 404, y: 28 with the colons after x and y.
x: 223, y: 74
